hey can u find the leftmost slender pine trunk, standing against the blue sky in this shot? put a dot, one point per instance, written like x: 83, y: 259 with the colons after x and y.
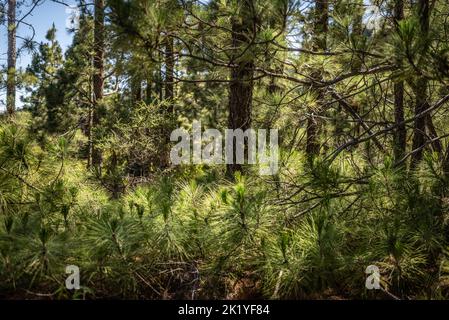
x: 12, y: 55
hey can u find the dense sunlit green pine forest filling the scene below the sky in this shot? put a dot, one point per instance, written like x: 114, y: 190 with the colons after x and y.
x: 85, y: 179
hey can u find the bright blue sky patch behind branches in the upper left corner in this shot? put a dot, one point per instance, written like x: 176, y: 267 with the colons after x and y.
x: 42, y: 18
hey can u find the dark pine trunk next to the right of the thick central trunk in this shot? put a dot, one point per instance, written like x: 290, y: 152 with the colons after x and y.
x: 321, y: 13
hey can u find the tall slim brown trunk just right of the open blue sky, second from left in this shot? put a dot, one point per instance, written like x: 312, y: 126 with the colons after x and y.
x: 98, y: 77
